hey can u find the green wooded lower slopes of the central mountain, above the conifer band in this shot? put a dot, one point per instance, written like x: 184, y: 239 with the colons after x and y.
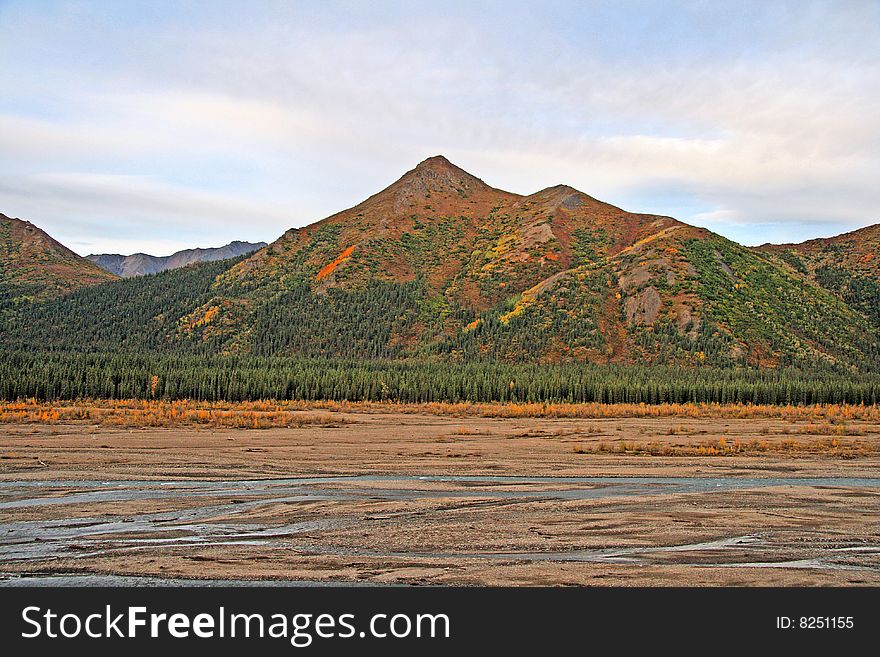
x: 747, y: 304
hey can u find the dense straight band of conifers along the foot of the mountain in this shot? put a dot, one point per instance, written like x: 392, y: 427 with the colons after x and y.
x: 67, y: 375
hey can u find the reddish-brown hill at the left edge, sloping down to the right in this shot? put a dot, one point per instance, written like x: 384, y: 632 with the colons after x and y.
x: 33, y: 265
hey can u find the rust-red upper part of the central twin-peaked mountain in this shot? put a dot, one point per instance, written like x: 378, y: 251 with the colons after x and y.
x: 475, y: 243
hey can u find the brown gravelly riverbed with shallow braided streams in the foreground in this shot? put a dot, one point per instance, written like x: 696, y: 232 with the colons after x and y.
x: 506, y: 501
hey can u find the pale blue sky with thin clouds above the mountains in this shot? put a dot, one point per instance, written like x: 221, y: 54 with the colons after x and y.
x: 158, y: 125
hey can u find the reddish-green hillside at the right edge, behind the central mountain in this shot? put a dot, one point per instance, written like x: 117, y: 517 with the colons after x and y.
x: 847, y: 265
